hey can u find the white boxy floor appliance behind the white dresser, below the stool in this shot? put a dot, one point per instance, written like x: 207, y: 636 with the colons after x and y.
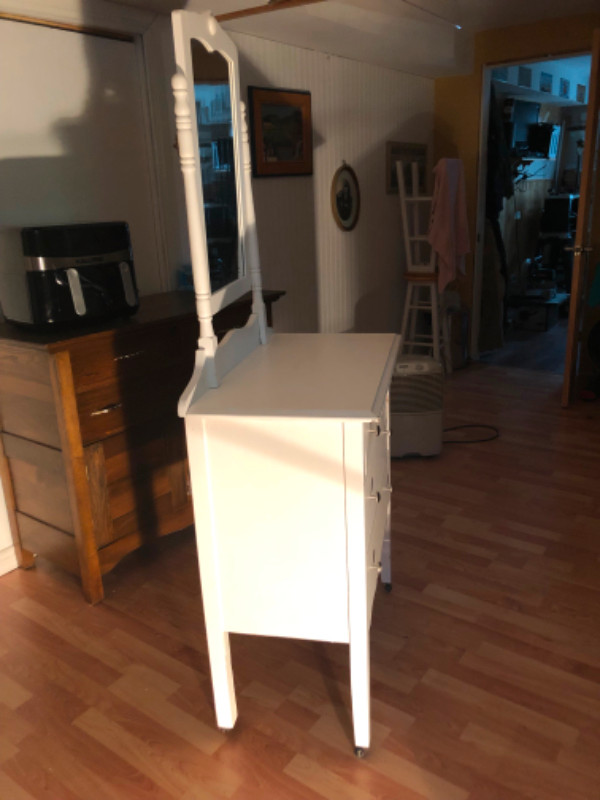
x: 416, y: 406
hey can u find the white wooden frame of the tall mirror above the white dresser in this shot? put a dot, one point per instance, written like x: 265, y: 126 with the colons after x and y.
x: 188, y: 26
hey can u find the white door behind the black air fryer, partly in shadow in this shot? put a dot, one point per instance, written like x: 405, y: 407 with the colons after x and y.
x: 74, y: 143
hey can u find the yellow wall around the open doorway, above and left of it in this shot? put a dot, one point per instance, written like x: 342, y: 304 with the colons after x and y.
x: 458, y: 99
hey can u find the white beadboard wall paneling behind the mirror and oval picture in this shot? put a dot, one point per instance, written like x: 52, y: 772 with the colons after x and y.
x: 335, y: 280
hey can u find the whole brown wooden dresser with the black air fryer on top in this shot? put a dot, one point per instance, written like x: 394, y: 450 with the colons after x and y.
x: 93, y: 457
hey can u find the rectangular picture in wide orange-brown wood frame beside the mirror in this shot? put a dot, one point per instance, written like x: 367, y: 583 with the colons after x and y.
x: 280, y: 132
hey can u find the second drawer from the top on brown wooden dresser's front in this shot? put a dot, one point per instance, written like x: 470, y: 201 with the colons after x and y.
x: 107, y: 410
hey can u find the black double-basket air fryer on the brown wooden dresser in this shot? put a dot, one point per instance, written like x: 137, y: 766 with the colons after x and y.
x: 63, y: 274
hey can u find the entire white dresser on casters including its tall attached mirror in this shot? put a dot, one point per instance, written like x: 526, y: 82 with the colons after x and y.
x: 287, y: 434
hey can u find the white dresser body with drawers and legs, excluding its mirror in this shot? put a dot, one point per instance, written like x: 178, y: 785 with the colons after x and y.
x: 290, y: 462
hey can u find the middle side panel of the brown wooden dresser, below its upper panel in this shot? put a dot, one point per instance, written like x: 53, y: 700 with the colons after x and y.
x: 39, y: 482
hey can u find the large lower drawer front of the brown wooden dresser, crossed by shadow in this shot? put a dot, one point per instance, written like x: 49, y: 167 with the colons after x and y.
x: 147, y: 485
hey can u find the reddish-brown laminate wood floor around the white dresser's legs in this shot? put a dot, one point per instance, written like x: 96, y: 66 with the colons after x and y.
x: 485, y: 656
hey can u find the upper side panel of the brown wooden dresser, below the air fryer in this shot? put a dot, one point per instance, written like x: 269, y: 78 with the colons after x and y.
x: 26, y: 395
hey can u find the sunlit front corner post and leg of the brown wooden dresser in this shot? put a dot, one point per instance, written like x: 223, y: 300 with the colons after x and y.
x: 77, y: 476
